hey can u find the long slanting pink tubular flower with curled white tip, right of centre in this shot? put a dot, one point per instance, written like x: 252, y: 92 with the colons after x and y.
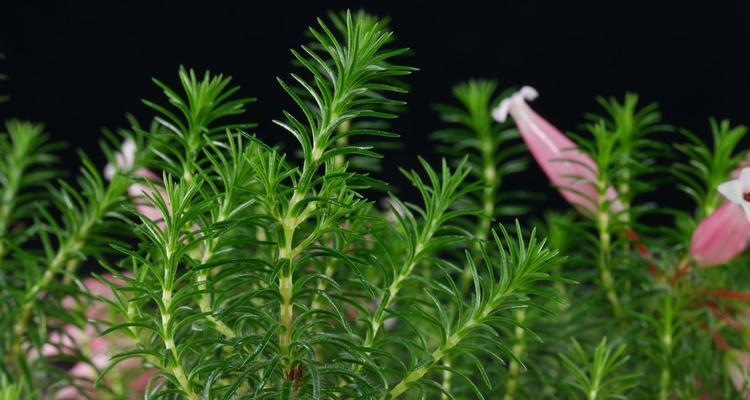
x: 564, y: 164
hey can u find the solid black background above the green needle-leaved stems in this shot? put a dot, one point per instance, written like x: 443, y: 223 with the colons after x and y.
x: 81, y: 66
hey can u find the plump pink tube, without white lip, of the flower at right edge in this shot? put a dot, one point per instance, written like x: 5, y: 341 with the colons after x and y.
x: 721, y: 236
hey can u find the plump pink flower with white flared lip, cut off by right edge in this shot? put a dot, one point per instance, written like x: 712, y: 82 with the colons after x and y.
x: 724, y: 234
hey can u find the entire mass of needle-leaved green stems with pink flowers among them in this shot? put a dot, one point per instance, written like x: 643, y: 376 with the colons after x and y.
x: 226, y: 268
